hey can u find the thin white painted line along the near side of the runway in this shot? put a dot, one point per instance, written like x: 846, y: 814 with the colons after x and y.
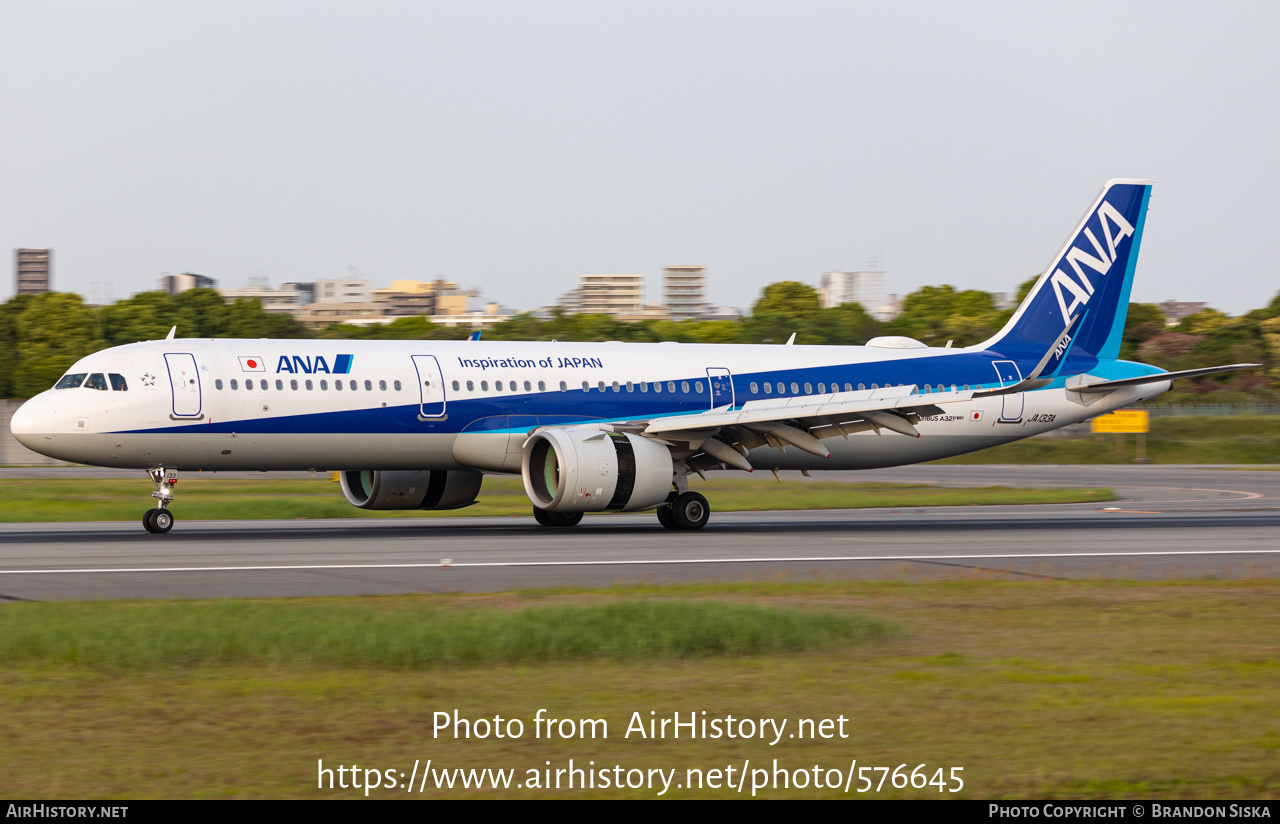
x: 456, y: 565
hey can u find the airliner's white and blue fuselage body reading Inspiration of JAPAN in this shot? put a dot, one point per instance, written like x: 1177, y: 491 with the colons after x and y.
x: 404, y: 405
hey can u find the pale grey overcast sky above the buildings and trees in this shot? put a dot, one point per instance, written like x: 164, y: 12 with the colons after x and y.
x: 515, y: 147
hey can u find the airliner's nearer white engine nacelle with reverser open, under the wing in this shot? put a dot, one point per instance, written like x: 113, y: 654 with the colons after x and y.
x: 583, y: 470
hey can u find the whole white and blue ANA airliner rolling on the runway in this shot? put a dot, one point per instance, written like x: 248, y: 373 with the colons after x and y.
x: 595, y: 427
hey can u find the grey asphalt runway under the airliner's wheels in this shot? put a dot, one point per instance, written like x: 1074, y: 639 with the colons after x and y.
x: 1172, y: 523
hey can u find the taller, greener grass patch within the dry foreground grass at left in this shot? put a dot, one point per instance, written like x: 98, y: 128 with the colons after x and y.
x: 358, y: 635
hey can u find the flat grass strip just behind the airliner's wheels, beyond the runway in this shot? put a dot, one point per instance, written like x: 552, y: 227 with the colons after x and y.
x: 209, y: 498
